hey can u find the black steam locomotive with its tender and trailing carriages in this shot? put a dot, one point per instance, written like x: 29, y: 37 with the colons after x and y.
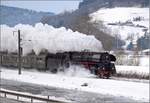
x: 99, y: 63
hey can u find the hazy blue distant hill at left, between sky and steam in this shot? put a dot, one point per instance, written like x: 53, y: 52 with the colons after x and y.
x: 13, y: 16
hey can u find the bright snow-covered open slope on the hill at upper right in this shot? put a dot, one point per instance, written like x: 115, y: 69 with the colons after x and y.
x: 124, y: 22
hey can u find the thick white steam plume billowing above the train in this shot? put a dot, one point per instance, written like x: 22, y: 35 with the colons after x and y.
x: 41, y: 37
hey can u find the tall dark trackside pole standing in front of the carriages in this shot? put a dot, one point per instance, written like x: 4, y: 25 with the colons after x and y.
x: 19, y: 53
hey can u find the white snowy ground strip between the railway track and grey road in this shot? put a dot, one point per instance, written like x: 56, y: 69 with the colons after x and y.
x: 133, y: 90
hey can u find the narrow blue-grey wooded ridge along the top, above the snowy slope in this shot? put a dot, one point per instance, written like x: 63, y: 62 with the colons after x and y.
x: 113, y: 3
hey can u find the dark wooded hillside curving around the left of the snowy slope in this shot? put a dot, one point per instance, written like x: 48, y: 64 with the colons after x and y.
x: 78, y: 20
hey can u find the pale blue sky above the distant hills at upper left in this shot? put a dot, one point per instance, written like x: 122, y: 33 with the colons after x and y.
x: 55, y: 6
